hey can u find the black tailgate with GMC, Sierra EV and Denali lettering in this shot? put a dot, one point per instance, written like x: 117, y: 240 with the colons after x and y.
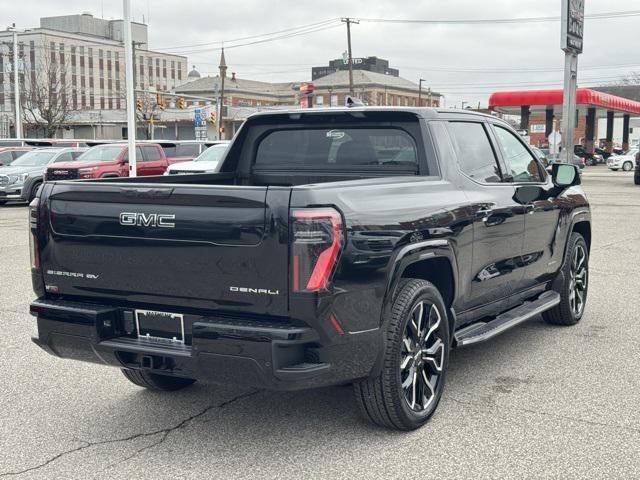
x: 217, y: 247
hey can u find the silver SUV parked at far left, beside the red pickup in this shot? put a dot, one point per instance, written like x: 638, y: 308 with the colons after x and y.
x: 20, y: 180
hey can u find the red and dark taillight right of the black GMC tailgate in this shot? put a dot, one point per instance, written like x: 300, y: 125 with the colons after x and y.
x: 316, y: 244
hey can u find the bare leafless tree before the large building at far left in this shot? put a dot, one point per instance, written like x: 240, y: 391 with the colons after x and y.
x: 46, y: 101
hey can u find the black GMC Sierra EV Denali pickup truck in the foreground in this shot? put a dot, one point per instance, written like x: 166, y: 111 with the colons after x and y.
x: 333, y: 246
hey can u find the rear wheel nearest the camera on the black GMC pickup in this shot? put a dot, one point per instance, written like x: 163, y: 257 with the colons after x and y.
x: 418, y: 322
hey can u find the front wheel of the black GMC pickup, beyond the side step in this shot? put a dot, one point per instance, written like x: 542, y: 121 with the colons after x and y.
x: 573, y: 285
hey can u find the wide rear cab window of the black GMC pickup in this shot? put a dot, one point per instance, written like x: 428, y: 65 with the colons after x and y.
x: 336, y: 147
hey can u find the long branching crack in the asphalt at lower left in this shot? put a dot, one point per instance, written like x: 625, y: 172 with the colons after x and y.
x: 164, y: 432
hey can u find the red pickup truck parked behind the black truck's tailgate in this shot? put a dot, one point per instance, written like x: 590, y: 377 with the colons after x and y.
x: 111, y: 160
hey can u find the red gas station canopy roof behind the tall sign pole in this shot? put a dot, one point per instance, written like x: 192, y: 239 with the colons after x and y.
x: 539, y: 101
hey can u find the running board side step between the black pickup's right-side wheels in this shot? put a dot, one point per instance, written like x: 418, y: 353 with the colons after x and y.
x: 482, y: 331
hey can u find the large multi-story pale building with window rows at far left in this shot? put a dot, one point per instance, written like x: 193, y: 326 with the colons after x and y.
x: 79, y: 59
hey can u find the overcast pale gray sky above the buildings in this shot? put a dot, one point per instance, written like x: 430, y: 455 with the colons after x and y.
x: 448, y: 57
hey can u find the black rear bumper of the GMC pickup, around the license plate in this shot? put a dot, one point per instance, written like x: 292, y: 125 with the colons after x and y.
x: 264, y: 354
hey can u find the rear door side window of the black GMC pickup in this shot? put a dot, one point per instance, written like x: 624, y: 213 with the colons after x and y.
x: 474, y: 152
